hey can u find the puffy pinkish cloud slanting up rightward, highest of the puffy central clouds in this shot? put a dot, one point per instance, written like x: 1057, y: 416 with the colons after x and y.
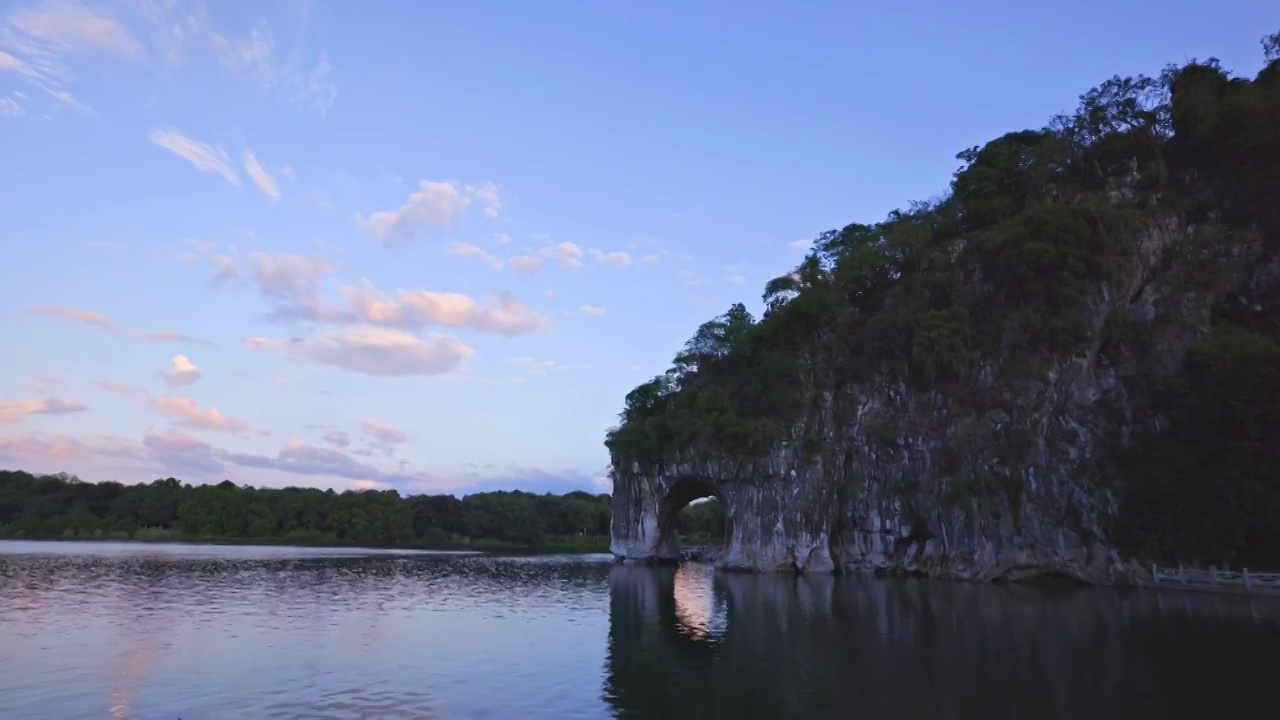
x: 435, y: 204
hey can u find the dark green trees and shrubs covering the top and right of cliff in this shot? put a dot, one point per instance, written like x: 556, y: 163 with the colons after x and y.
x: 1013, y: 275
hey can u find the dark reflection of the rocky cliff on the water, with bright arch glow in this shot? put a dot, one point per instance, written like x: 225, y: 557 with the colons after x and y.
x: 821, y: 646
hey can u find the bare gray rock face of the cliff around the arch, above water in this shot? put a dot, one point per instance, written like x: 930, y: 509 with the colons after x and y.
x: 912, y: 481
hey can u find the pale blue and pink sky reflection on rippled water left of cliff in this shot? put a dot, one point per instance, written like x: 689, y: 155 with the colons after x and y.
x: 248, y: 634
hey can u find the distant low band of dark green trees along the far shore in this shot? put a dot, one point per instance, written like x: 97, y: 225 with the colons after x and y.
x: 49, y: 507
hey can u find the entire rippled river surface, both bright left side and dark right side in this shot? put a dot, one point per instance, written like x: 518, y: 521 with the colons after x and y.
x: 205, y: 632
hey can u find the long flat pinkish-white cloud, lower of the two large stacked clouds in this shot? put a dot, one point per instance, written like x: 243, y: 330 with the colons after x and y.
x: 374, y: 352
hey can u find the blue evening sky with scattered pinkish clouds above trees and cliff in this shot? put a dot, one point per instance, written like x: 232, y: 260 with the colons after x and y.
x: 432, y: 247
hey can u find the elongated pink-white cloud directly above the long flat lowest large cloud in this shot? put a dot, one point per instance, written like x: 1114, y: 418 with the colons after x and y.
x: 504, y: 315
